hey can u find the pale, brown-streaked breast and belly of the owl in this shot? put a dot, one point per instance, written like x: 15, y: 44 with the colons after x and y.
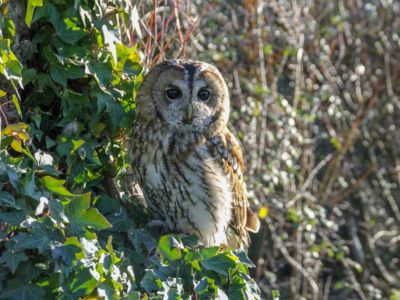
x: 189, y: 188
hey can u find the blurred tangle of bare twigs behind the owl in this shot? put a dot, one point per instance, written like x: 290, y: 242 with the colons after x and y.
x: 315, y: 91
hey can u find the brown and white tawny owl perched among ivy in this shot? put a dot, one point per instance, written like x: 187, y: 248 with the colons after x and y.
x: 187, y: 162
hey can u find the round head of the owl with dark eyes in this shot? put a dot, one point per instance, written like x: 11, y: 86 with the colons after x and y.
x: 184, y: 94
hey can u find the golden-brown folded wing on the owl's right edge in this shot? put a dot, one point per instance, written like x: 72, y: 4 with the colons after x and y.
x: 228, y: 151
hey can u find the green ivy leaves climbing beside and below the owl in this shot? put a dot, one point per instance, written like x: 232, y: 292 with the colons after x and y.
x: 65, y: 231
